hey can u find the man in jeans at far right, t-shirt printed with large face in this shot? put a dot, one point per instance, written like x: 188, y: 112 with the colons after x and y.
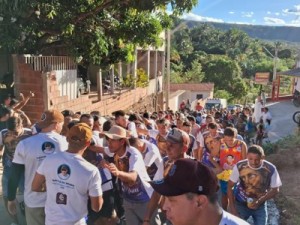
x: 257, y: 181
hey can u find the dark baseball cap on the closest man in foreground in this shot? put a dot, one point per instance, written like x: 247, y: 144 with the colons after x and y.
x: 187, y: 176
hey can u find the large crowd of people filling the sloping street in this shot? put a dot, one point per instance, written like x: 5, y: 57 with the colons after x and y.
x: 137, y: 168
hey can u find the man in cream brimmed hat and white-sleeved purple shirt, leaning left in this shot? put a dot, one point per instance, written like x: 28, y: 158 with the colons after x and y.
x: 130, y: 170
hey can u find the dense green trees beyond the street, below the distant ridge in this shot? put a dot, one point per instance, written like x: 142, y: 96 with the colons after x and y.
x: 230, y: 59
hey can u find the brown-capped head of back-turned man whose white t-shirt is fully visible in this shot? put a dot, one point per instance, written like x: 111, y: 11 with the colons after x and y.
x: 79, y: 137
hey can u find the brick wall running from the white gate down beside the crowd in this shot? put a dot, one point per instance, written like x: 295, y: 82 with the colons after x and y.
x: 47, y: 95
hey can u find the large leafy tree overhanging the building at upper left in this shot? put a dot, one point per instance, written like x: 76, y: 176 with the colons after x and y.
x: 101, y: 31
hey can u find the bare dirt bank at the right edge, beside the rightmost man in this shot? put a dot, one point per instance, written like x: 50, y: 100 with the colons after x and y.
x: 287, y: 160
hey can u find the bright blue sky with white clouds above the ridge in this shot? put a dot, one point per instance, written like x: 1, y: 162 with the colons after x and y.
x: 255, y: 12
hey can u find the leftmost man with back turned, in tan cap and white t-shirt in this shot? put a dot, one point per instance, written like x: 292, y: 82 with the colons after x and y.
x: 28, y: 156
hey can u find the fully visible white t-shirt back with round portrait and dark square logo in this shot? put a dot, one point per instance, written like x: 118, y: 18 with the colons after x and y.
x: 67, y: 195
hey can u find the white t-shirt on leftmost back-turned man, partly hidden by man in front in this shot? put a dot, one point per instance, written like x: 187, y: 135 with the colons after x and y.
x: 30, y: 153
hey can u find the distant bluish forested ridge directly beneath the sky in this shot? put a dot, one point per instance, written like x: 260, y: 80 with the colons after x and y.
x: 272, y: 33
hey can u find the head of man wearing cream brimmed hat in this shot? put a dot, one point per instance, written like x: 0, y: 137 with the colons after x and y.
x: 116, y: 138
